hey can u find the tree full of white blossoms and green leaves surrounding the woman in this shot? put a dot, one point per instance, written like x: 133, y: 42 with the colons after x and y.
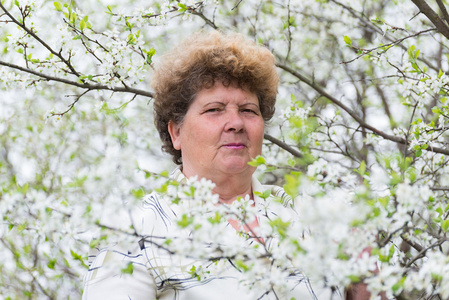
x: 359, y: 141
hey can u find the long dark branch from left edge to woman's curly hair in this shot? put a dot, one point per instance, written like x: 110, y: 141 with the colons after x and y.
x: 79, y: 84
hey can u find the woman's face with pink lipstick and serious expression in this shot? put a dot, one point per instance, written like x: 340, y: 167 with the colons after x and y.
x: 221, y: 132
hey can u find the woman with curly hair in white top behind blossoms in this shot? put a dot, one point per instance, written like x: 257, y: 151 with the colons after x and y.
x: 213, y: 95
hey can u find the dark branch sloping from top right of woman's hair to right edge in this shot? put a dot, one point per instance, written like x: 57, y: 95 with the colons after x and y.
x: 354, y: 115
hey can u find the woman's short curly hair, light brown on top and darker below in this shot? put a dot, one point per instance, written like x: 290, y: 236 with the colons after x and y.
x: 199, y: 62
